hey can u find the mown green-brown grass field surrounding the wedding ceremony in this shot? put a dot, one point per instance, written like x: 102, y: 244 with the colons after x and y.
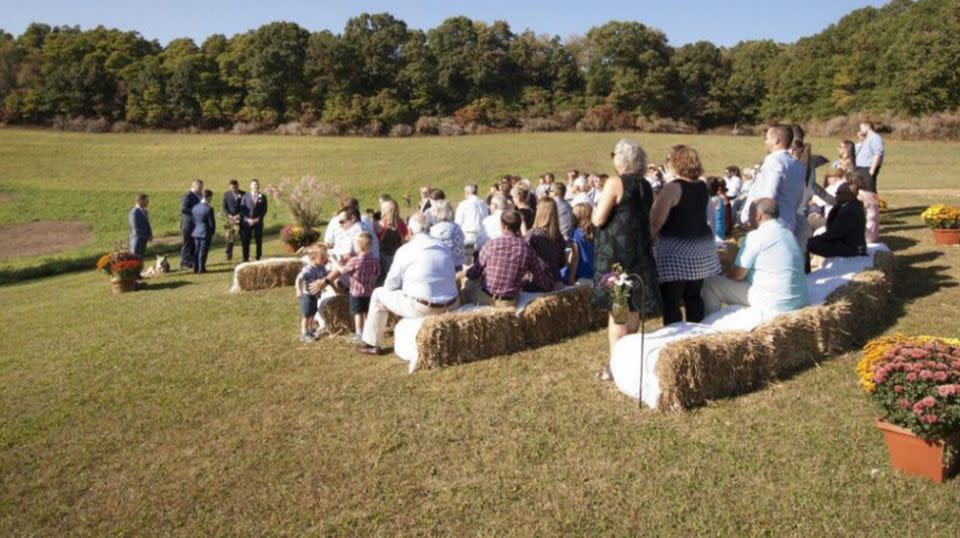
x: 189, y: 411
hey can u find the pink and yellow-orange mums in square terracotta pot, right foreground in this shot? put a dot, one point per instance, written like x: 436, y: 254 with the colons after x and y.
x: 916, y: 383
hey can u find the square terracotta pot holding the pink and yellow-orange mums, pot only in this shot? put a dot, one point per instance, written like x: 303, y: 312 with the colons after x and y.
x: 910, y: 454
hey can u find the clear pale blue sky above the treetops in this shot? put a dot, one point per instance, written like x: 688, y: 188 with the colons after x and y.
x: 722, y: 22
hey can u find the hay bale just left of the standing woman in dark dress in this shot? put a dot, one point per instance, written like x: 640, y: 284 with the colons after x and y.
x: 557, y: 316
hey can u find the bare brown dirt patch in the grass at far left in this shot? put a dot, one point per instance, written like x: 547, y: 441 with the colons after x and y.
x: 42, y: 237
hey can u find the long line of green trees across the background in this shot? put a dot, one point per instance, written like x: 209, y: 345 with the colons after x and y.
x: 902, y: 58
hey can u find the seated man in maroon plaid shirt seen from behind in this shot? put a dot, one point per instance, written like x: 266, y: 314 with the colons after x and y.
x: 505, y: 264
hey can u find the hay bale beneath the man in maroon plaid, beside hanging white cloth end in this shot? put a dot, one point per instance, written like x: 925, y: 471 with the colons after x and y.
x: 460, y: 337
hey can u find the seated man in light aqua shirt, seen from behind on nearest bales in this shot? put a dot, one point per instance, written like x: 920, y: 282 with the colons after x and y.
x: 768, y: 272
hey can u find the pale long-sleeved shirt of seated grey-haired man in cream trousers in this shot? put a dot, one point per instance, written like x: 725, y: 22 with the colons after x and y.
x: 423, y: 269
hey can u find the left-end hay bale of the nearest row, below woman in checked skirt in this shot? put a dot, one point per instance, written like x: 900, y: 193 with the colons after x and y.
x: 695, y: 370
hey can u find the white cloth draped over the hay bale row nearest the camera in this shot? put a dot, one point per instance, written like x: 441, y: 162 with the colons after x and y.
x: 625, y: 359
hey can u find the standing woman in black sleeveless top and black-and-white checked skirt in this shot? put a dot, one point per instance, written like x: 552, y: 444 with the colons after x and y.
x: 686, y: 253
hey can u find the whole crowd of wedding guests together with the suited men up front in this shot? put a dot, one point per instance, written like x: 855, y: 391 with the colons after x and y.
x: 661, y: 223
